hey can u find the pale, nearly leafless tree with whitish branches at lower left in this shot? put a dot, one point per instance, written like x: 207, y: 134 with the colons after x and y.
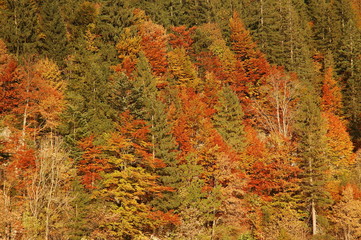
x: 48, y: 194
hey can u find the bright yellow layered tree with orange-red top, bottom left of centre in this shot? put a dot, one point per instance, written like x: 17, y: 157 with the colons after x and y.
x: 130, y: 182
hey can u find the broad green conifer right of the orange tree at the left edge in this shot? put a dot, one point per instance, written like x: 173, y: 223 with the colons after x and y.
x: 88, y: 110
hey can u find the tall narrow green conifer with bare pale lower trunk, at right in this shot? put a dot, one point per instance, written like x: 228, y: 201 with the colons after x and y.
x: 311, y: 148
